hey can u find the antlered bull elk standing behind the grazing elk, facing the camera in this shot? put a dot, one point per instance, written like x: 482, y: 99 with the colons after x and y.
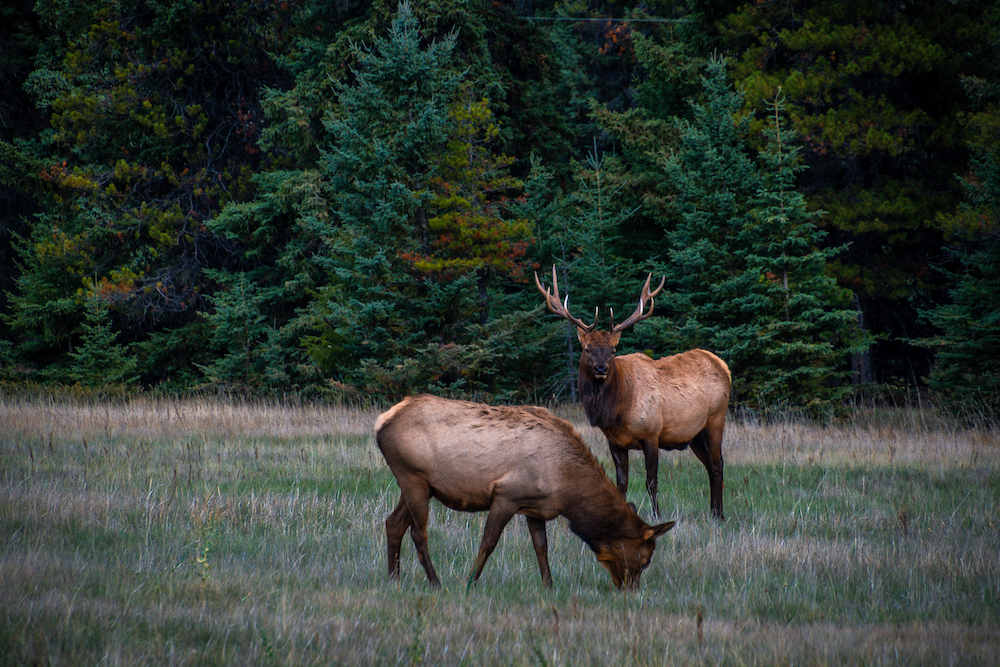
x: 650, y: 404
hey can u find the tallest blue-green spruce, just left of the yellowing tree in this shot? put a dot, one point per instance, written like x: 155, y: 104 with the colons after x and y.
x: 376, y: 310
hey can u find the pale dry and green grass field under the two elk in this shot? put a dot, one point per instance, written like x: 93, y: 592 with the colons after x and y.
x: 213, y: 532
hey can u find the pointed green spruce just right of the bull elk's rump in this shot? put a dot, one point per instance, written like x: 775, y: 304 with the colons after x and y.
x: 802, y: 324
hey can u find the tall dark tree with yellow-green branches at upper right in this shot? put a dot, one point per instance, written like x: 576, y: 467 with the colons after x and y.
x: 873, y: 91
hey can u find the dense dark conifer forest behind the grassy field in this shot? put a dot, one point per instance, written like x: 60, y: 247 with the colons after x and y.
x: 349, y: 200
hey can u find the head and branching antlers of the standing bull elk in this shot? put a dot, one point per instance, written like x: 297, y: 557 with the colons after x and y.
x: 597, y: 358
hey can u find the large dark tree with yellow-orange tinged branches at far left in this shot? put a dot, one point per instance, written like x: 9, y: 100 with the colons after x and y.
x: 153, y: 128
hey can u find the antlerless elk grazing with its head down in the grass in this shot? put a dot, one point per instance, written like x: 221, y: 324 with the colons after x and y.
x: 505, y: 461
